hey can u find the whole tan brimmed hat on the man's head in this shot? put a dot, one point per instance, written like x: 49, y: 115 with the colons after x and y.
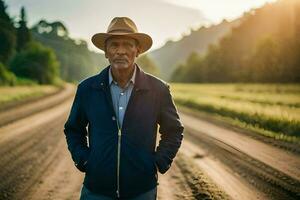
x: 122, y: 26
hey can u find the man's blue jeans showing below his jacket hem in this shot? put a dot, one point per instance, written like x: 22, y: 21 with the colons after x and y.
x: 88, y: 195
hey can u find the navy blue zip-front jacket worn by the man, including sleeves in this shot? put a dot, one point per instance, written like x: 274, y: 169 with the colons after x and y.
x: 150, y: 105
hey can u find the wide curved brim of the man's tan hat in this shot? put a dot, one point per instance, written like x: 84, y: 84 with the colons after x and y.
x: 145, y: 41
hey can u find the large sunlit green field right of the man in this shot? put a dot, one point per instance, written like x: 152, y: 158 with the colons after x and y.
x: 270, y: 109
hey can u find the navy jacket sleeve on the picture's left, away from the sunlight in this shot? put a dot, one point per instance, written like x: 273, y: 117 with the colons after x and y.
x: 76, y: 133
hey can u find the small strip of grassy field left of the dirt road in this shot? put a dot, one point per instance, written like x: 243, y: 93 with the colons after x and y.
x: 13, y: 95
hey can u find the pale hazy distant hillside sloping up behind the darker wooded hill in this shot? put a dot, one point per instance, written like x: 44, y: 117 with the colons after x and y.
x: 176, y: 52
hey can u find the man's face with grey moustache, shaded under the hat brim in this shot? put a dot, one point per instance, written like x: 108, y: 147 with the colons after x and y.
x: 121, y: 51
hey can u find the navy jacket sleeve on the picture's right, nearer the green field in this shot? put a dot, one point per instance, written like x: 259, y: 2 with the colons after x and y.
x: 171, y: 130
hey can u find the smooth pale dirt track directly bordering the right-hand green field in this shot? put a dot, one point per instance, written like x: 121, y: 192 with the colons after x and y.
x: 283, y: 161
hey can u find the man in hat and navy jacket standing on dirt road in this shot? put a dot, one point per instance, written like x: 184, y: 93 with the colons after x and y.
x: 122, y: 107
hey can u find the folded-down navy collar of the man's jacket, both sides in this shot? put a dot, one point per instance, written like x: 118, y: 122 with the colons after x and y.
x: 101, y: 80
